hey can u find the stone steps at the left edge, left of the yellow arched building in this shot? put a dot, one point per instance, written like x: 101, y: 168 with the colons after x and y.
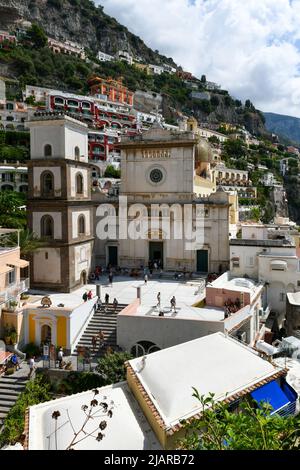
x: 10, y: 389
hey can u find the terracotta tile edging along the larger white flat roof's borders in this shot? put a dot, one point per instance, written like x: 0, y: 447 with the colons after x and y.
x: 171, y: 430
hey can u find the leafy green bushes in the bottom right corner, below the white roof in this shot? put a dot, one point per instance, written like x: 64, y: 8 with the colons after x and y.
x: 249, y: 429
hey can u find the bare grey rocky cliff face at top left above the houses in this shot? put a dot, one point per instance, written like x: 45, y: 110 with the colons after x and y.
x: 80, y: 21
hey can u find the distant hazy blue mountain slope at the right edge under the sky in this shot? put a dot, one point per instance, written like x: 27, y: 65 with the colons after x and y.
x: 287, y: 127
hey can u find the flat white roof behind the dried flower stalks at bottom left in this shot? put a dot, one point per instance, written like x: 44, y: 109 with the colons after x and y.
x: 128, y: 428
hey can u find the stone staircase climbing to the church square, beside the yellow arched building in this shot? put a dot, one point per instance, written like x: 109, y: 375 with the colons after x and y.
x: 106, y: 321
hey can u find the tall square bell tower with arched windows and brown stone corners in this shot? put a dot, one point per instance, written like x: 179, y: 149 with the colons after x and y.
x: 59, y: 201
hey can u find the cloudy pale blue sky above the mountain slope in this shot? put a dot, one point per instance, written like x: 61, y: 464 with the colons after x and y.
x: 250, y: 47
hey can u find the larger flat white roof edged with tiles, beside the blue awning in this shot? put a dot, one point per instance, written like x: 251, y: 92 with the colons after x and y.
x: 214, y: 363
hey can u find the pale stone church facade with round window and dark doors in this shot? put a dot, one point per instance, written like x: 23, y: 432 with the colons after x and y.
x: 160, y: 173
